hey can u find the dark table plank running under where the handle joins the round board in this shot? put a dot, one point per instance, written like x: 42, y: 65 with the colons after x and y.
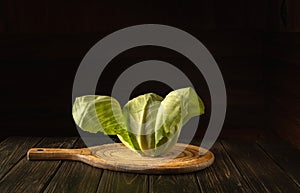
x: 75, y: 176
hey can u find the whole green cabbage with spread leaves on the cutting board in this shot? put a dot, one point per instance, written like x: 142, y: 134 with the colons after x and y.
x: 147, y: 124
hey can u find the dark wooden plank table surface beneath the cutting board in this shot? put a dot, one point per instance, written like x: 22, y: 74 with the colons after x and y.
x: 239, y: 167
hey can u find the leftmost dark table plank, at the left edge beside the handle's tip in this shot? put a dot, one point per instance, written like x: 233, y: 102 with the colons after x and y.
x: 12, y: 150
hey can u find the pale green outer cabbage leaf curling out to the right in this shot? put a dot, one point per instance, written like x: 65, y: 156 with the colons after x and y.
x: 175, y: 111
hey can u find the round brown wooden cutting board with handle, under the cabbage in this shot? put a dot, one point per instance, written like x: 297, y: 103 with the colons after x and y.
x: 182, y: 158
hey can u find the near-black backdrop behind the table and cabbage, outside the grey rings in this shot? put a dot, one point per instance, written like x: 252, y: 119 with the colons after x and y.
x: 255, y: 42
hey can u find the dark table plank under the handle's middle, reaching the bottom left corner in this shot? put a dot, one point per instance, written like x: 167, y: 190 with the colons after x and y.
x: 32, y: 176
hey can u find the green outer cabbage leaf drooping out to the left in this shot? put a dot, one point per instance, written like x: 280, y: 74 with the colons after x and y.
x: 101, y: 114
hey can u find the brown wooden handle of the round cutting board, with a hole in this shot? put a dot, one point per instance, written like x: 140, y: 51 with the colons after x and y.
x: 55, y: 153
